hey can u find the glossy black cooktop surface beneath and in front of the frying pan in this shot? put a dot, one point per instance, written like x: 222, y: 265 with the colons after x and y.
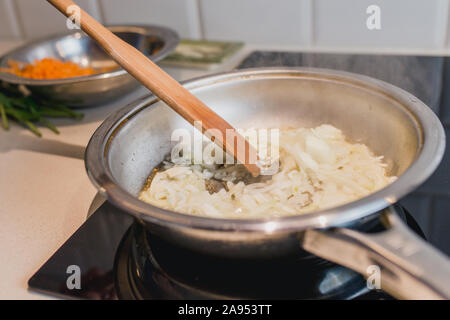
x: 112, y: 257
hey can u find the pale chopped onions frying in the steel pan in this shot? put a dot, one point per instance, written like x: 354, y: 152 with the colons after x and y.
x: 318, y: 169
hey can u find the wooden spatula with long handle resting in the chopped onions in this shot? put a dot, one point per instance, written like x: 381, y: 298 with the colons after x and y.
x: 163, y: 86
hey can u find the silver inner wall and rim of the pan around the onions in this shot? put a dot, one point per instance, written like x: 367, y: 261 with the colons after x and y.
x: 392, y: 122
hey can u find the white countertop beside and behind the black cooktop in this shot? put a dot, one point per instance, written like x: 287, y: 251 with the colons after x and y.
x: 45, y: 193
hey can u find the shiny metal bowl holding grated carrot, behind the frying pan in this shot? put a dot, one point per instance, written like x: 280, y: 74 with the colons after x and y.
x: 154, y: 41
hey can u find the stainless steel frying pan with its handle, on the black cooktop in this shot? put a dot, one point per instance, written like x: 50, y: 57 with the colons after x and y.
x: 392, y: 122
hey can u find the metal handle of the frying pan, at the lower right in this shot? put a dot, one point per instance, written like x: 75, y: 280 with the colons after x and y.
x: 409, y: 267
